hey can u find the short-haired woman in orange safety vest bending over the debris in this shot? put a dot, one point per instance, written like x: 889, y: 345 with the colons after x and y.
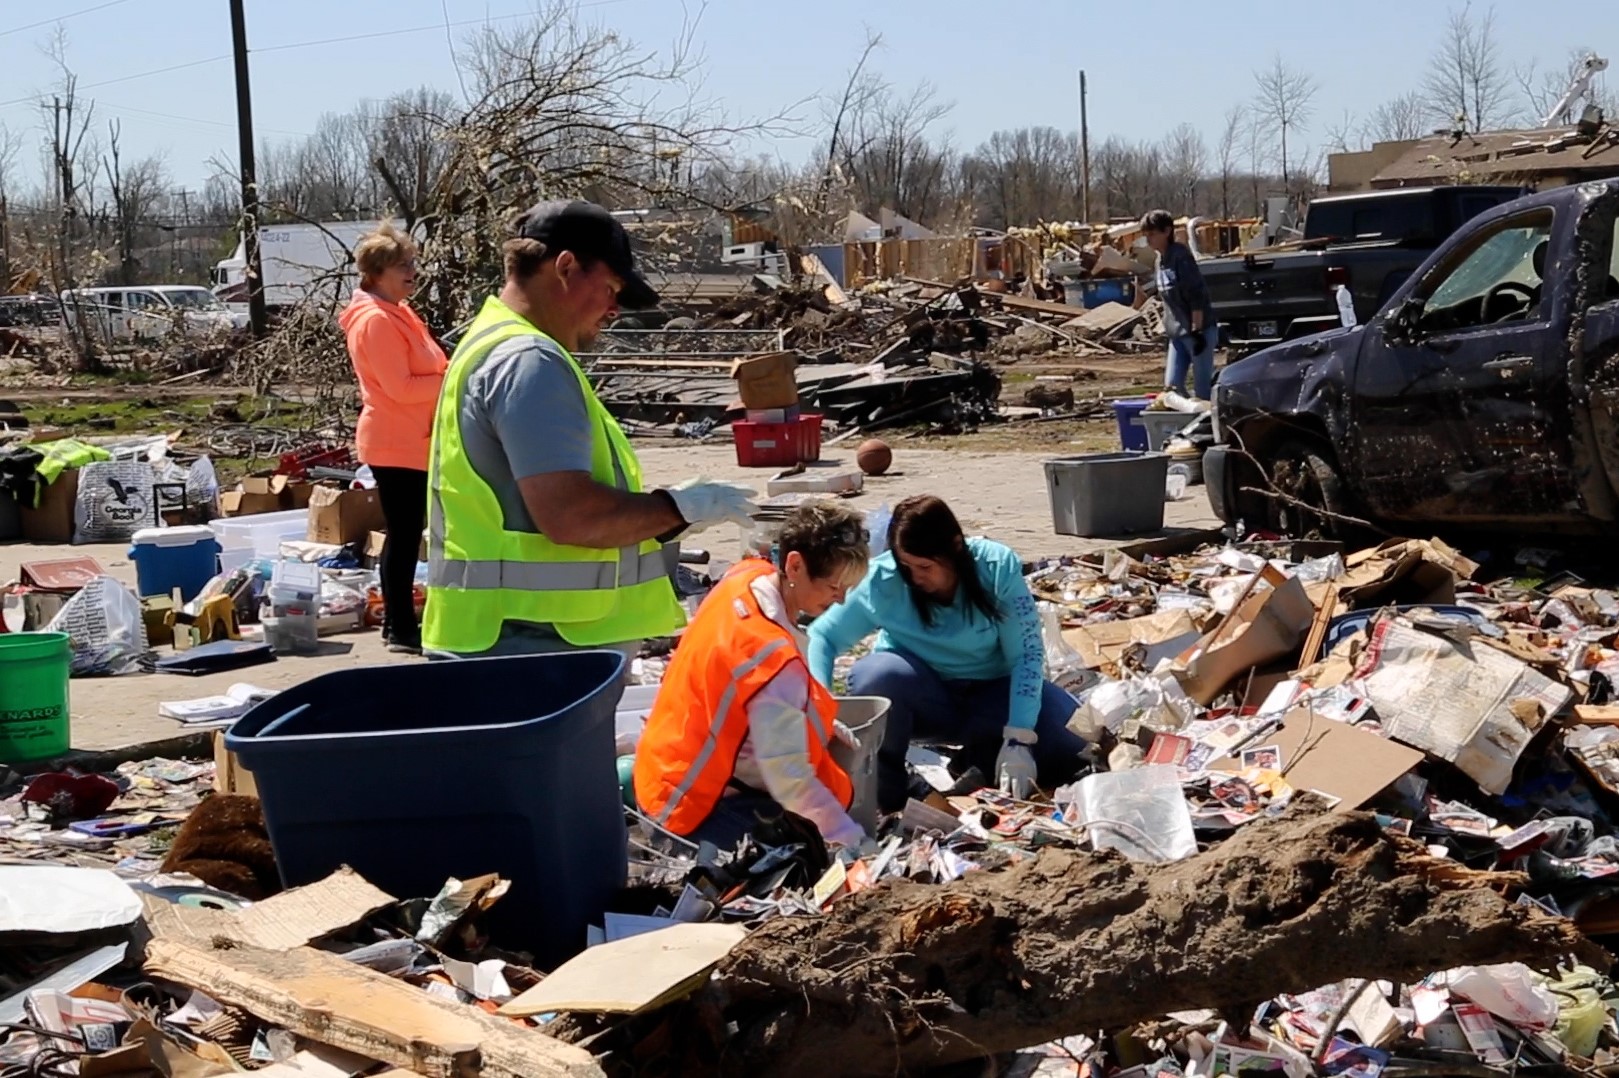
x: 741, y: 728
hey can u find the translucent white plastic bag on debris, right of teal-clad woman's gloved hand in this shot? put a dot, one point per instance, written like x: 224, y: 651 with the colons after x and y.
x: 1141, y: 813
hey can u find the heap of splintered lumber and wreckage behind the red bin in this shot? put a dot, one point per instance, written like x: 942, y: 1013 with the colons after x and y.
x: 898, y: 352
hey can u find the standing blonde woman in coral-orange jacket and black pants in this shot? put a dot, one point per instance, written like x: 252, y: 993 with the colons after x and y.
x: 401, y: 370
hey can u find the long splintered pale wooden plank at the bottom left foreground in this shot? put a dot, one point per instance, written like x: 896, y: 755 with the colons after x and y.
x: 323, y: 998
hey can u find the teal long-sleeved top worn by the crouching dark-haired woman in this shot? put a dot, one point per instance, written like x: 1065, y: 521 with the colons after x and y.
x: 962, y: 645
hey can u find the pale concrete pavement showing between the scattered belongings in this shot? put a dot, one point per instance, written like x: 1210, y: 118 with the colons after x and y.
x: 1001, y: 496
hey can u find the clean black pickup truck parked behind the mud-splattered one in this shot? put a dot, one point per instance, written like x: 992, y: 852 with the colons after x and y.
x: 1369, y: 244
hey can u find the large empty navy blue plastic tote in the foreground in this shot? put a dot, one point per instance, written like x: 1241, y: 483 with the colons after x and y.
x: 419, y: 773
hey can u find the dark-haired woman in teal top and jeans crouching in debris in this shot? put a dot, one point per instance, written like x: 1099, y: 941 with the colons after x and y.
x: 959, y: 656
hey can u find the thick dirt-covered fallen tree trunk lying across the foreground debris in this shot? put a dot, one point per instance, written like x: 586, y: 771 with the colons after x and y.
x: 1073, y: 943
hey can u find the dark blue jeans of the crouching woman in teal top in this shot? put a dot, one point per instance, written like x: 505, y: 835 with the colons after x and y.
x: 972, y: 715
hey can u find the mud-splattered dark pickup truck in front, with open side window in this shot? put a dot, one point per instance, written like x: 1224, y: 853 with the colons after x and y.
x: 1485, y: 393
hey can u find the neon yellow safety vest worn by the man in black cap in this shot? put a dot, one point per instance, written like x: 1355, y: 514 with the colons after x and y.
x: 480, y: 574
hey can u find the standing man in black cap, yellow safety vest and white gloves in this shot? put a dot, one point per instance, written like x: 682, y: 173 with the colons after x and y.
x: 540, y: 533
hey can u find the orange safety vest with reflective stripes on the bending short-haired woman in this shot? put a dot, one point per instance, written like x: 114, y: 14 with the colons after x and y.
x: 689, y: 750
